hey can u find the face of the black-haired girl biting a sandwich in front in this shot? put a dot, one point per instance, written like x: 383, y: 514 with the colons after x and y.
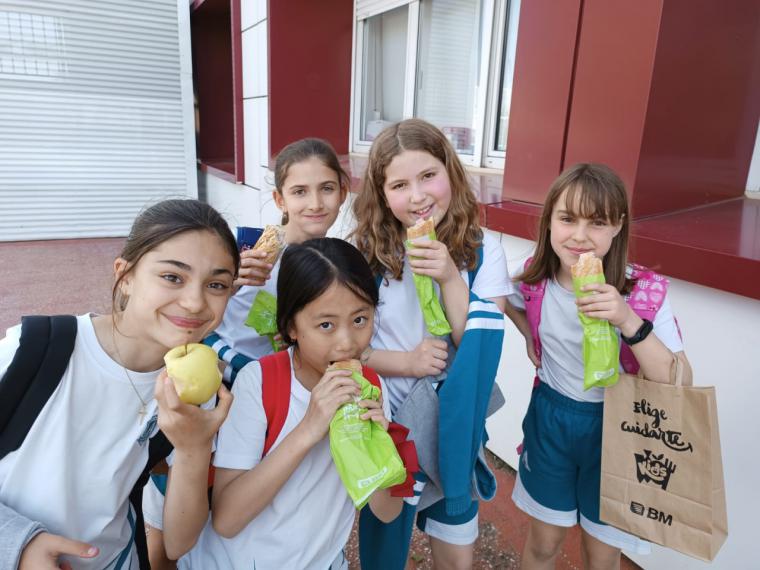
x: 337, y: 325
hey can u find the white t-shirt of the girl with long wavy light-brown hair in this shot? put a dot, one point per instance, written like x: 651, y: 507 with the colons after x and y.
x: 399, y: 324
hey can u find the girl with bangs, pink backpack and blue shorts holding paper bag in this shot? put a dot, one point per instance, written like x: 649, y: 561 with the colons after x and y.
x: 558, y: 481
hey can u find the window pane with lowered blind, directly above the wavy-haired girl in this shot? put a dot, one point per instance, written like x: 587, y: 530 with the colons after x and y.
x: 449, y: 67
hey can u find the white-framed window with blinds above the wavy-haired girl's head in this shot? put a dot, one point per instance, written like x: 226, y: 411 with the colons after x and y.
x: 449, y: 62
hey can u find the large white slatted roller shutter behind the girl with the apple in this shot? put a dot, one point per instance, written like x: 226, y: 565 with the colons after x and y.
x: 95, y: 114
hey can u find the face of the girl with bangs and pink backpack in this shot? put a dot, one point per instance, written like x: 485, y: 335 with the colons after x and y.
x: 571, y: 235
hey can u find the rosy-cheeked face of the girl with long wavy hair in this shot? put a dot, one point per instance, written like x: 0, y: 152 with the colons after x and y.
x: 417, y: 186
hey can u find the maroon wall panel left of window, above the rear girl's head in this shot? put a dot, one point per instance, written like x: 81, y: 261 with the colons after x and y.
x: 309, y: 71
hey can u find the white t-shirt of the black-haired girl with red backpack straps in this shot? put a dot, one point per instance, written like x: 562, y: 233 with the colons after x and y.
x: 308, y: 523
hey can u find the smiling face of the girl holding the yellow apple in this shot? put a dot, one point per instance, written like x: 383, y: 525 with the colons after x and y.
x: 177, y: 291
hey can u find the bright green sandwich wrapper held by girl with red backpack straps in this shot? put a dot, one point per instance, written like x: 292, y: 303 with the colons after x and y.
x: 364, y: 453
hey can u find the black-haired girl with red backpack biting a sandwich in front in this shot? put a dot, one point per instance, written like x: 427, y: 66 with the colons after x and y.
x: 280, y: 503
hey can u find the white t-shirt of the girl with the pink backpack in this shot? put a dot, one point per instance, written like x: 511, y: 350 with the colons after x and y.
x: 561, y: 336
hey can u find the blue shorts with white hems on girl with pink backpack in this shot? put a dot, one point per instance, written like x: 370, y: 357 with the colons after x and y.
x: 560, y: 466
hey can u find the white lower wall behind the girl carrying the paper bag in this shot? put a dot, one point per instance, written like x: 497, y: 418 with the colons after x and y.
x: 721, y: 334
